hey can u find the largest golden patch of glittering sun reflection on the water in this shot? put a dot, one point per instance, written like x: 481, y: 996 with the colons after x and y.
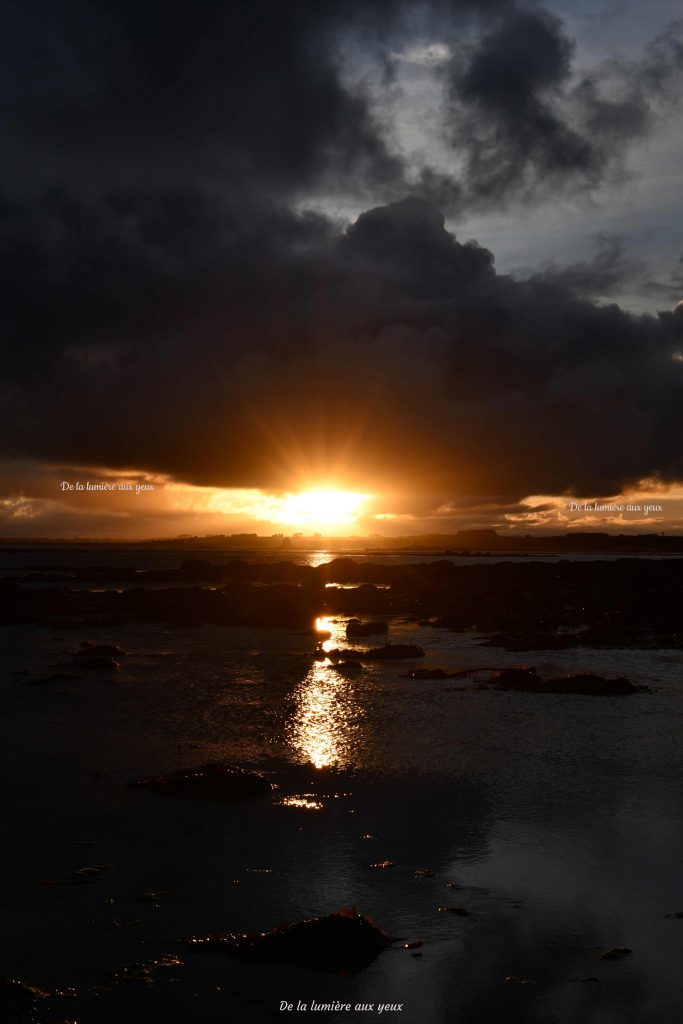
x: 326, y: 728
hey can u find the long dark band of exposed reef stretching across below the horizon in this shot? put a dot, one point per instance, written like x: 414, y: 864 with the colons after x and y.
x: 521, y: 606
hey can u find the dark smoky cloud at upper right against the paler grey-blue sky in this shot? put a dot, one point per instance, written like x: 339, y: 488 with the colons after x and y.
x: 526, y: 127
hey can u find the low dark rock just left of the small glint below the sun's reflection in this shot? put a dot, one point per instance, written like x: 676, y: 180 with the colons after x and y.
x: 210, y: 782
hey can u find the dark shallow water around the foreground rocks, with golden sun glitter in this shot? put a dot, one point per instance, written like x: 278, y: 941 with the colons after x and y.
x: 558, y: 816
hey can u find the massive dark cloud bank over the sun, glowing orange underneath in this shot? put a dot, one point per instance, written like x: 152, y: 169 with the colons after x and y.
x: 168, y: 306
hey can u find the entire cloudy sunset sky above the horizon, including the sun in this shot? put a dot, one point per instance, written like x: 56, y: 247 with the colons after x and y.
x: 345, y: 267
